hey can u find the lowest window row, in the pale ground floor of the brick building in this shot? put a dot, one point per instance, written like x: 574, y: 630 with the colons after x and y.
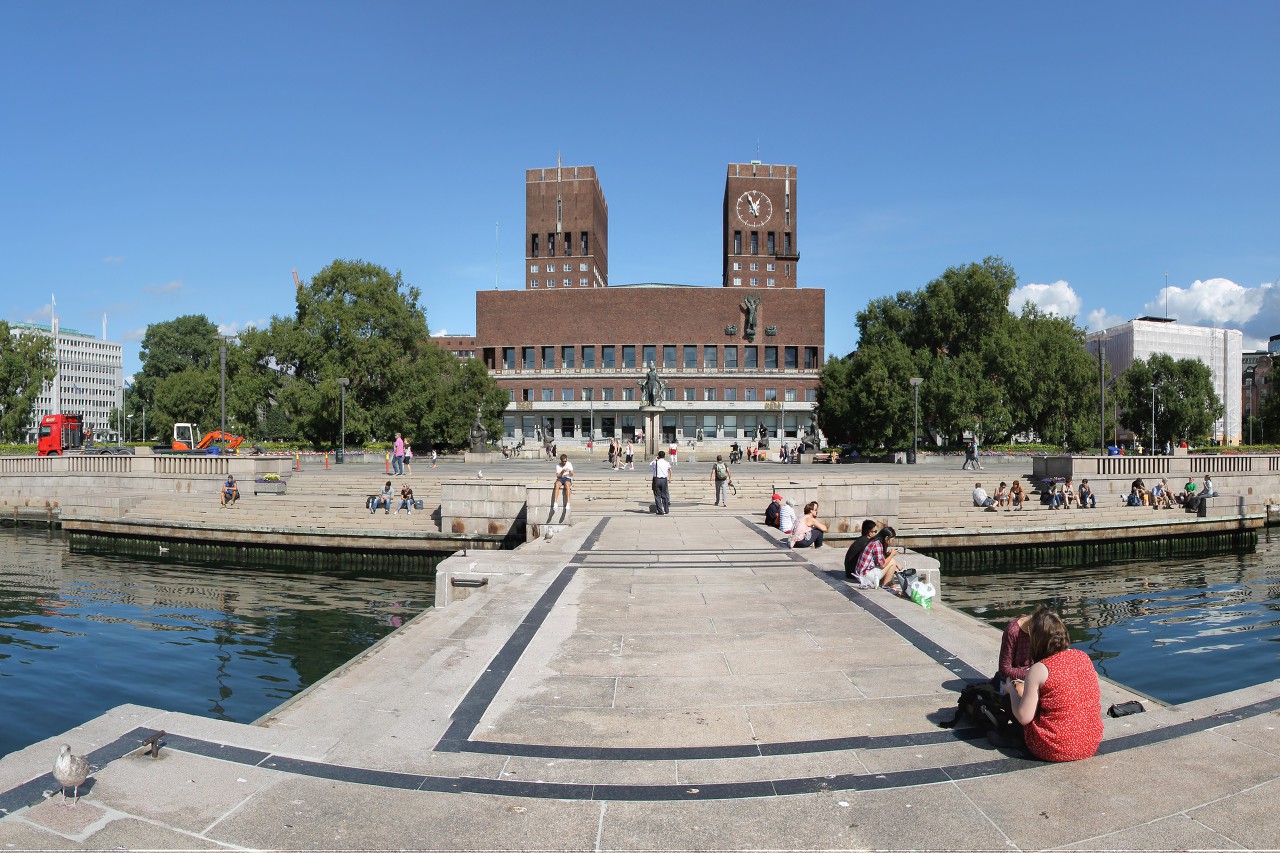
x: 627, y: 427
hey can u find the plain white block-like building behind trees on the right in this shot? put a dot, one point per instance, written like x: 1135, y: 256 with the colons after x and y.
x: 1219, y: 349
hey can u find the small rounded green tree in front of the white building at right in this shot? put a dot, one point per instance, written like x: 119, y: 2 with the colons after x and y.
x: 1186, y: 404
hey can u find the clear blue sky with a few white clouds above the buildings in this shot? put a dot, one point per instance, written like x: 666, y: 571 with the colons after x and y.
x: 167, y: 159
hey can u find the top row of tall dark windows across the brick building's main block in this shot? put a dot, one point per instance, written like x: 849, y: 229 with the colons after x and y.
x: 673, y: 357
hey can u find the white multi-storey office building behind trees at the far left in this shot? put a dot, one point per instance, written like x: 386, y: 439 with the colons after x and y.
x: 90, y: 378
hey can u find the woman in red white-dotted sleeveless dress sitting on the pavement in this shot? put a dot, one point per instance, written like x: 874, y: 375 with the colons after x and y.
x: 1060, y: 705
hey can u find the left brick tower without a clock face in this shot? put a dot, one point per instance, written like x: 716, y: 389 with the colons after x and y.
x: 566, y: 230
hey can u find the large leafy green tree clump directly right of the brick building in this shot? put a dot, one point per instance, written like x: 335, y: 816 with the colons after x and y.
x: 985, y: 370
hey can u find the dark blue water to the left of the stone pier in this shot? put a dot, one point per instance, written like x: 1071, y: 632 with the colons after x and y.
x: 84, y: 633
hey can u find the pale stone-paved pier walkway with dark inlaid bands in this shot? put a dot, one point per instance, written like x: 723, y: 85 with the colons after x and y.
x: 657, y: 683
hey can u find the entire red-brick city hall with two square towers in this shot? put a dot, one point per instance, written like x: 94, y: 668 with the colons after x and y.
x: 735, y: 358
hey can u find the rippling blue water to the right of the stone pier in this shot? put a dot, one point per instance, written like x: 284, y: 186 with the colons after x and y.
x: 1173, y: 631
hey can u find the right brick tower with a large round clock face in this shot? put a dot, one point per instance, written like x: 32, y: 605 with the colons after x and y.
x: 761, y: 226
